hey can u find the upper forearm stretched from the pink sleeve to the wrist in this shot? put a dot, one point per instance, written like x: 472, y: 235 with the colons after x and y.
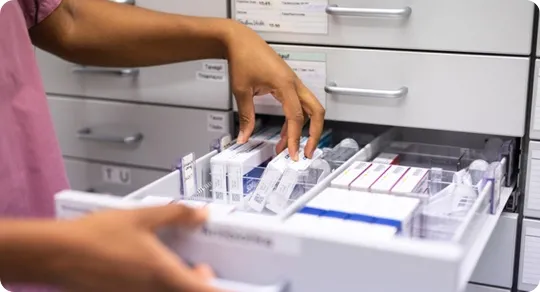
x: 103, y: 33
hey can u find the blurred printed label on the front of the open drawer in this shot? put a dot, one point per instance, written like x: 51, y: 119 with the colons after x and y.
x: 251, y: 239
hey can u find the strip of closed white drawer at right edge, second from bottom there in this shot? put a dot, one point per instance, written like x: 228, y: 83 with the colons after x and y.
x: 532, y: 183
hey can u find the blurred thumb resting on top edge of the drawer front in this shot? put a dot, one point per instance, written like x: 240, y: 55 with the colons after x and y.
x: 173, y: 214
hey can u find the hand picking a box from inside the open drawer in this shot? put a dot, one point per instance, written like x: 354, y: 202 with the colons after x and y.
x: 256, y: 69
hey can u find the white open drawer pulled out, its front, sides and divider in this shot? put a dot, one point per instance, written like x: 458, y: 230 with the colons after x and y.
x: 261, y: 249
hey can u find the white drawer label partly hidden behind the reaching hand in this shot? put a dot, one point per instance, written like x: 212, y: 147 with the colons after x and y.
x: 310, y: 68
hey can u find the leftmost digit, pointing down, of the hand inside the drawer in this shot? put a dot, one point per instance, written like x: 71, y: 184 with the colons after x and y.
x: 246, y: 113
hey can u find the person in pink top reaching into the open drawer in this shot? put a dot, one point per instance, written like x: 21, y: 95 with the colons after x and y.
x: 113, y: 251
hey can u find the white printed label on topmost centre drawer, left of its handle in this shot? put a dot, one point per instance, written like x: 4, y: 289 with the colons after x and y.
x: 293, y: 16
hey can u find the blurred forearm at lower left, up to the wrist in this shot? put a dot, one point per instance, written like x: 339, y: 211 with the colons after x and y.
x: 28, y: 250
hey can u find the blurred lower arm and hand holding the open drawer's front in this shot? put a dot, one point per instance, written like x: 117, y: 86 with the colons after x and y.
x: 107, y: 252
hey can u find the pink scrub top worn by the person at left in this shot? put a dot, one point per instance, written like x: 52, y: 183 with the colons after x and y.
x: 31, y: 166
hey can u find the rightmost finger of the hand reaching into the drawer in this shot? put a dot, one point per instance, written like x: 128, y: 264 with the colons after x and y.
x: 316, y: 113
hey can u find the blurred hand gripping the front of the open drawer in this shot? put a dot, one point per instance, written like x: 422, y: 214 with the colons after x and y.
x: 118, y: 251
